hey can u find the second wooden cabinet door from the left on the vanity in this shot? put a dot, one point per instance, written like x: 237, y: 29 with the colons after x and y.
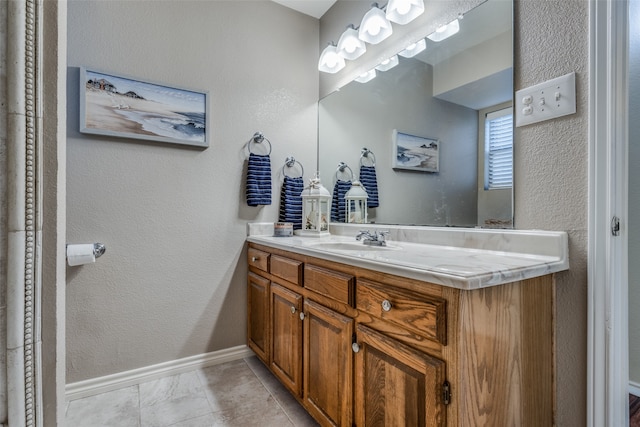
x: 286, y: 330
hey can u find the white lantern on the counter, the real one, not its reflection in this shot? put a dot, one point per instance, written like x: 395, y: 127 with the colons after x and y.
x: 315, y: 209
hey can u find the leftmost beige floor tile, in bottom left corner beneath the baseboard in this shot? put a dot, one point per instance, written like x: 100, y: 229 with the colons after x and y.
x: 119, y: 408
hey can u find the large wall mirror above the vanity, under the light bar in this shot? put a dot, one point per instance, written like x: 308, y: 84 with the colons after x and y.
x: 429, y: 111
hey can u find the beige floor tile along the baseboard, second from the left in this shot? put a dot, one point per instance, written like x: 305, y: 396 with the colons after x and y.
x: 172, y: 399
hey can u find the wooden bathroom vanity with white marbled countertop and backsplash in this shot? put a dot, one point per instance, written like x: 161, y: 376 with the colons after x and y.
x: 454, y: 332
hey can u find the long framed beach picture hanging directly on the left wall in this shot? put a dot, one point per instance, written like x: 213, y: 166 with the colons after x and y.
x: 126, y: 107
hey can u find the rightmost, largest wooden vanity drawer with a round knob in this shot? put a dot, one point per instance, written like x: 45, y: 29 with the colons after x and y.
x: 420, y: 314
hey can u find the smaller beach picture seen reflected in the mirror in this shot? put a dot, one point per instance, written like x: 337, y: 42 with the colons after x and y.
x: 417, y: 153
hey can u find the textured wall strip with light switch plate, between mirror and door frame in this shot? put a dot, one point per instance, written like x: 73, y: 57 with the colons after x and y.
x: 552, y: 39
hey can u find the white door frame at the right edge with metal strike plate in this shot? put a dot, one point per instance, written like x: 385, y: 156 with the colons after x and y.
x: 608, y: 373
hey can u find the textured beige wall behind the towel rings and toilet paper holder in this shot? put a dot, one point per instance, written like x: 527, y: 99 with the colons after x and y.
x: 172, y: 282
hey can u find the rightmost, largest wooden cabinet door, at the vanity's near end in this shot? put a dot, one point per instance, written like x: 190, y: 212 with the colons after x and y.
x: 396, y: 385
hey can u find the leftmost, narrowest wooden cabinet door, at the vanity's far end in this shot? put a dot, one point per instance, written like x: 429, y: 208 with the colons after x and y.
x: 258, y: 315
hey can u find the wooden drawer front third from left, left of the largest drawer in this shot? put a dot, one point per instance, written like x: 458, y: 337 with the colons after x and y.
x: 328, y: 283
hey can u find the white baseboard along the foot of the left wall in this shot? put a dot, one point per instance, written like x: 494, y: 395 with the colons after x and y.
x: 94, y: 386
